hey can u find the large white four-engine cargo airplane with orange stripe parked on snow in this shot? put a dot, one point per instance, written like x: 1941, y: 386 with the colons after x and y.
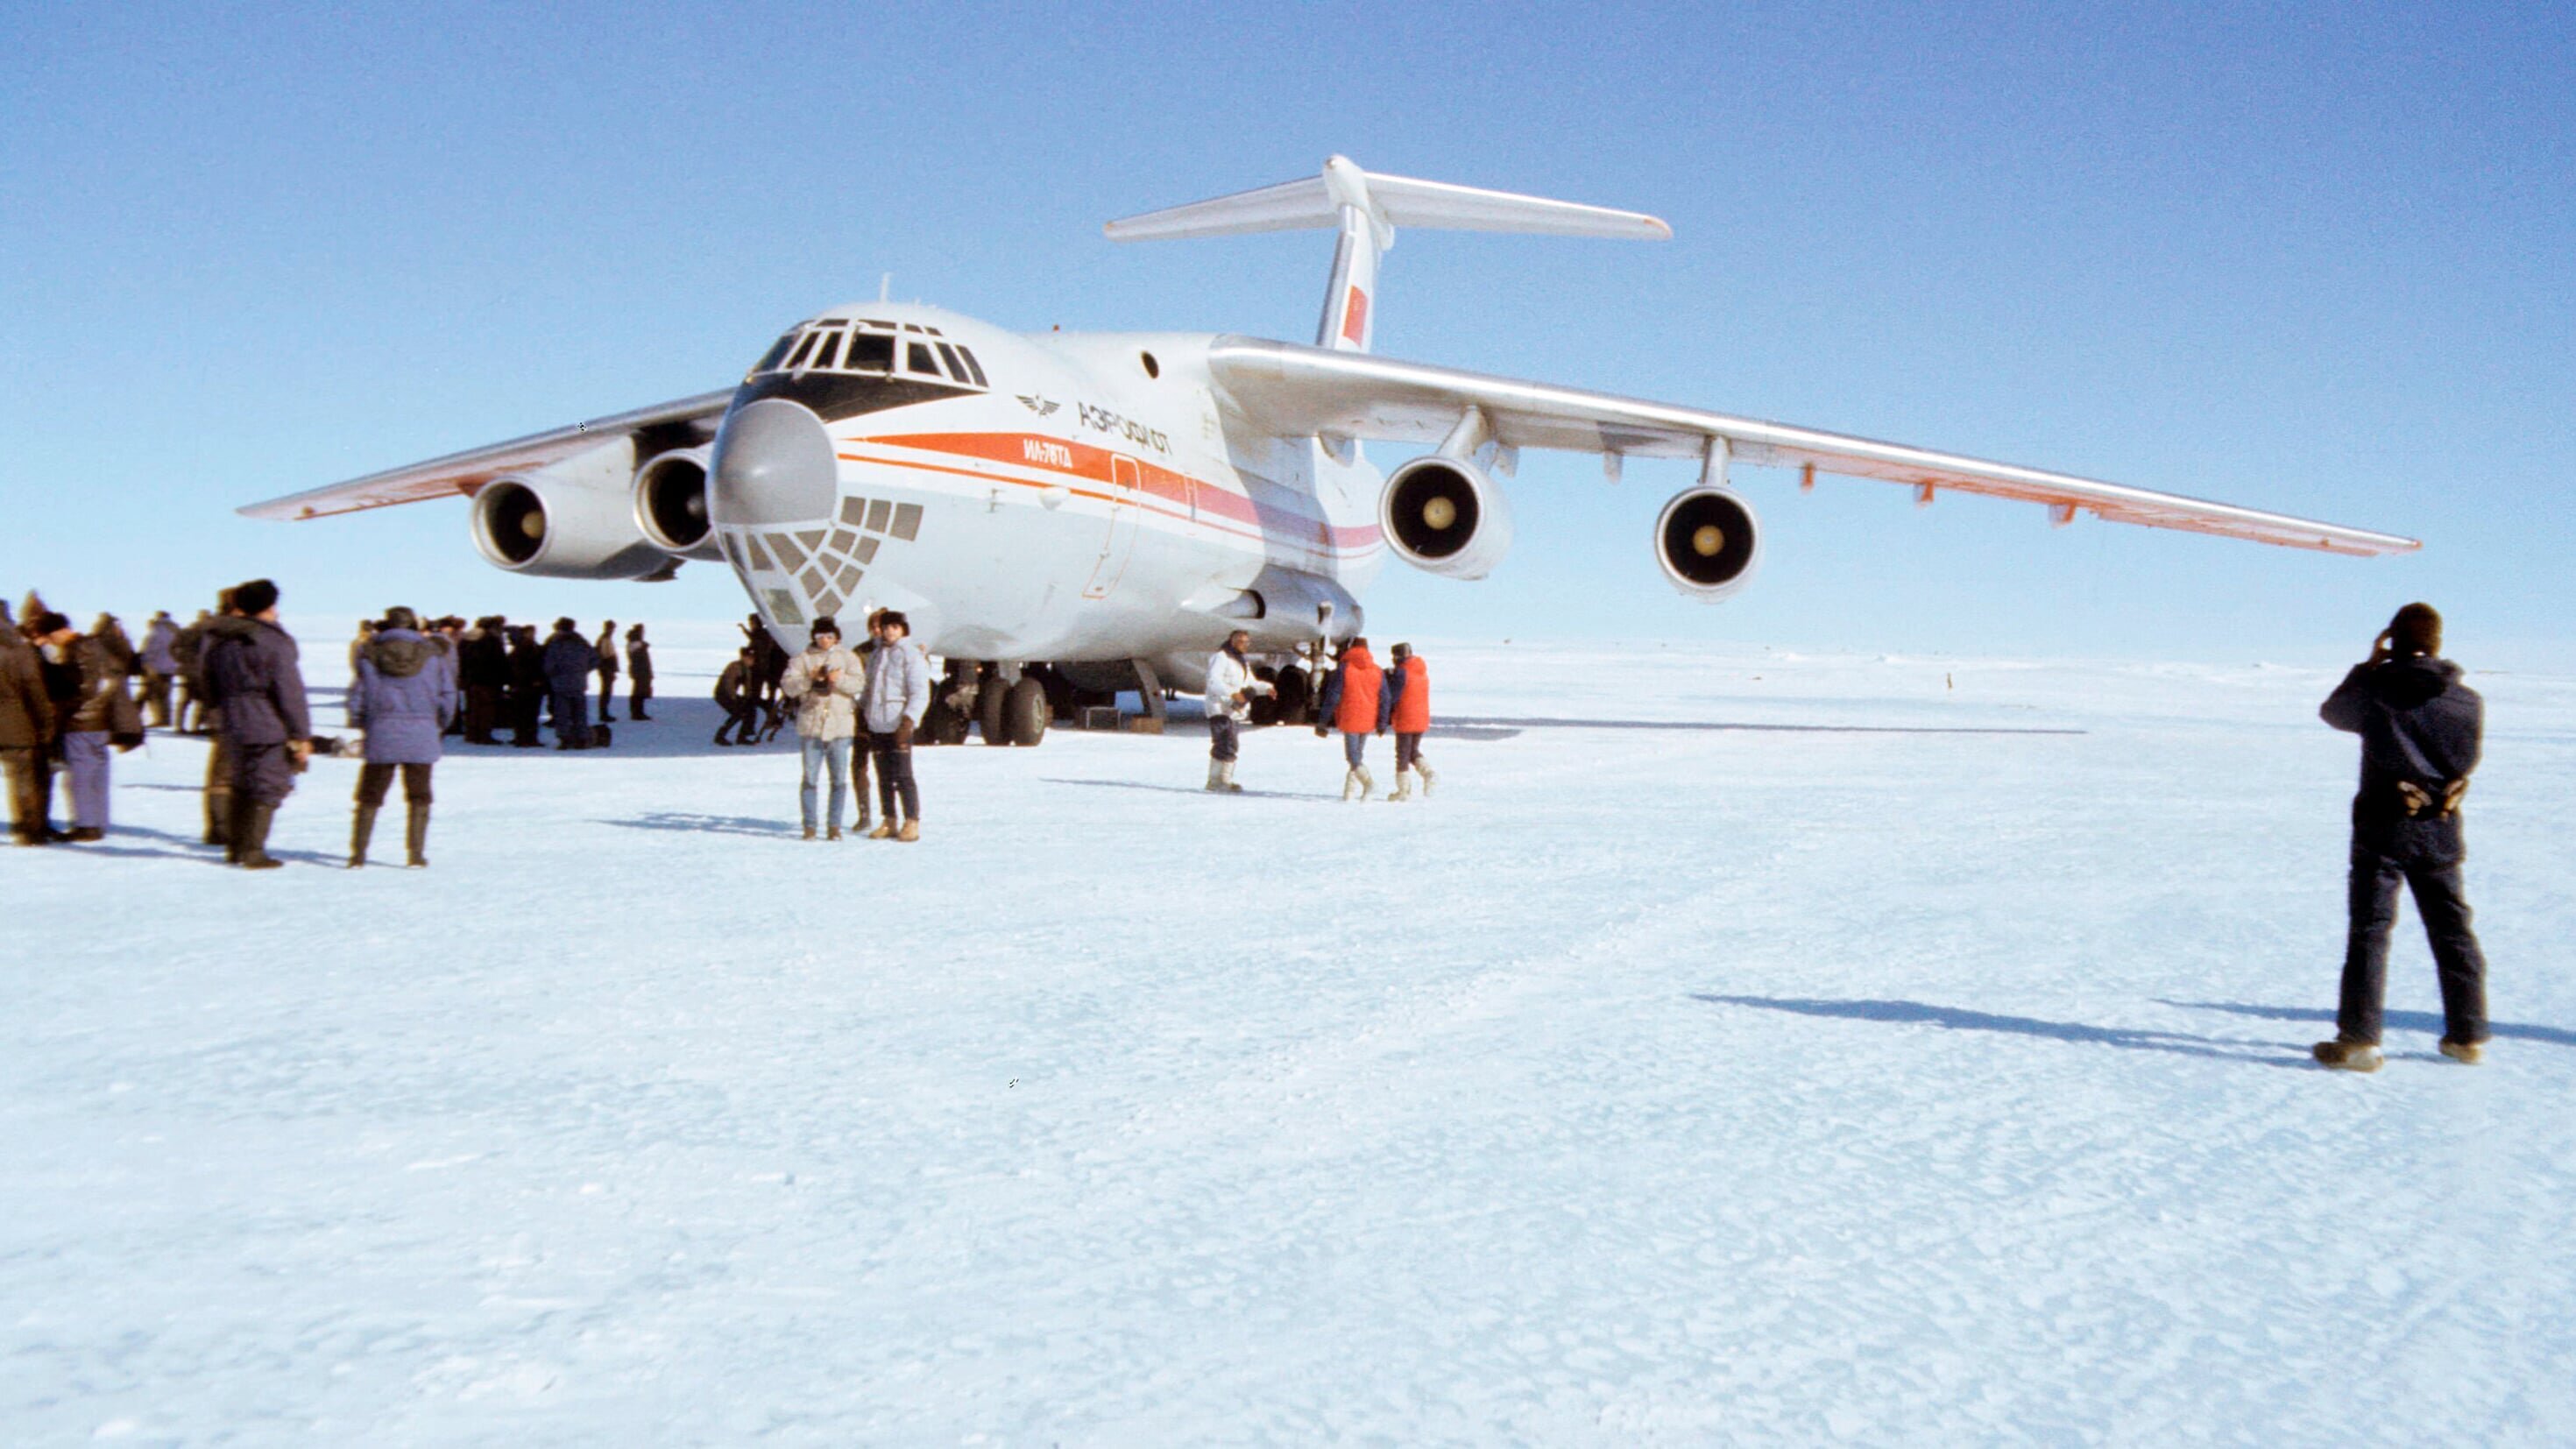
x: 1065, y: 513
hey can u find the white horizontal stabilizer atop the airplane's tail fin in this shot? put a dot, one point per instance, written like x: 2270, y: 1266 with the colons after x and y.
x: 1392, y: 202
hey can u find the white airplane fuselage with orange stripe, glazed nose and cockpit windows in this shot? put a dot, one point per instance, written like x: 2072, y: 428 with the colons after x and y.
x: 1055, y: 498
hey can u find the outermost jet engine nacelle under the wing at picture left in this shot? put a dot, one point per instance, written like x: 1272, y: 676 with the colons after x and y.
x: 568, y: 521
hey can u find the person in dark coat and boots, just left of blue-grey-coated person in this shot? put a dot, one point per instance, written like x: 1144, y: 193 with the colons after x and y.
x: 256, y: 683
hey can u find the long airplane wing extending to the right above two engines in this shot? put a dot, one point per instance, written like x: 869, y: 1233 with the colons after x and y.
x: 1294, y: 390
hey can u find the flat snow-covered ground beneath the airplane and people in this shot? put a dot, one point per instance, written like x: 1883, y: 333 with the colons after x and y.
x: 1738, y: 1049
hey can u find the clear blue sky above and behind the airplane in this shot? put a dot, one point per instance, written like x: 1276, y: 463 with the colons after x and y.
x: 2291, y: 256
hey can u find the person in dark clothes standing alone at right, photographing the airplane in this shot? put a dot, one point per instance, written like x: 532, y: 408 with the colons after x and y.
x: 2423, y: 732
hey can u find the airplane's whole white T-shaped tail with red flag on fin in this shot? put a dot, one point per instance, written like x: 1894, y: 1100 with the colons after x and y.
x: 1369, y: 207
